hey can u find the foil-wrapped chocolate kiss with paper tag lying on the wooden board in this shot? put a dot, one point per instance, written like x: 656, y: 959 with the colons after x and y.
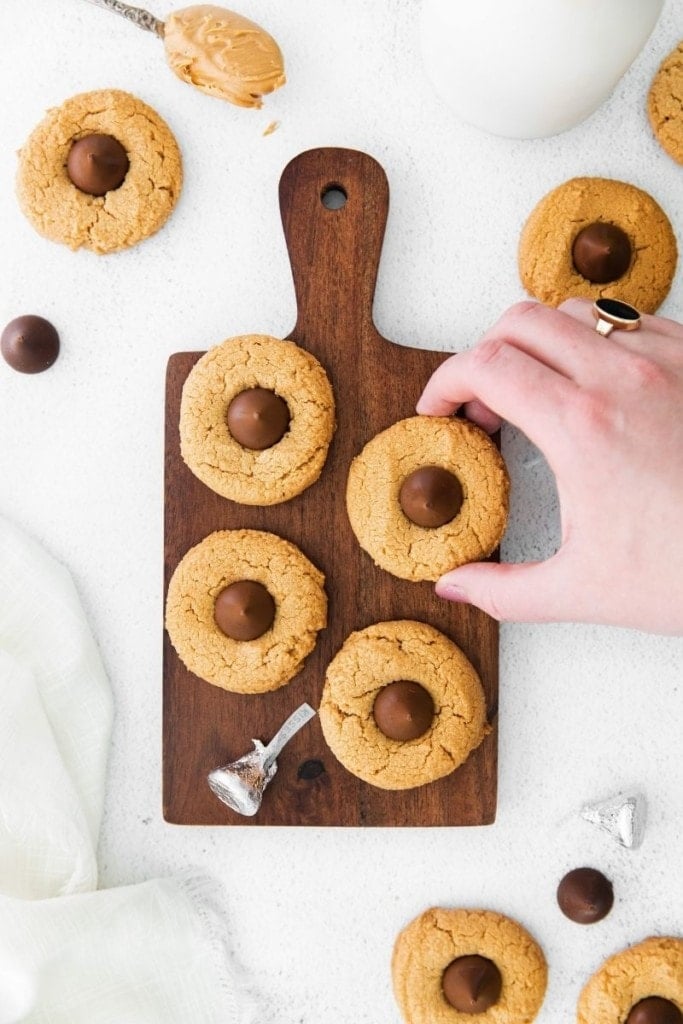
x: 242, y: 784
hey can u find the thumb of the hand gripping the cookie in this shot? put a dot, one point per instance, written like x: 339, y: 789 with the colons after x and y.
x: 533, y: 592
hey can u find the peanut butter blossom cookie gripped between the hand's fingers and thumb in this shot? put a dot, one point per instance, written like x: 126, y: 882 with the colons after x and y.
x: 428, y: 495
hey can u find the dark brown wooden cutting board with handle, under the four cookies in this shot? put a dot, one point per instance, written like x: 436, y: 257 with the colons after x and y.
x: 334, y: 255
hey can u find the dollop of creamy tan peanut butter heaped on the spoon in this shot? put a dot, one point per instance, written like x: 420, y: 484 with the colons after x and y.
x: 224, y: 55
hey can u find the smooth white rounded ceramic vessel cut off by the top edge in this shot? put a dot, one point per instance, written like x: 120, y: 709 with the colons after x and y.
x: 531, y: 68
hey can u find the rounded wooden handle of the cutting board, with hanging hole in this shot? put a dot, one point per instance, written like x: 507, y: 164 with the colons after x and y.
x: 334, y: 249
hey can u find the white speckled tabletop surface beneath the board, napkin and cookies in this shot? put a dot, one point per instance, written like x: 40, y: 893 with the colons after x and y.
x: 585, y: 711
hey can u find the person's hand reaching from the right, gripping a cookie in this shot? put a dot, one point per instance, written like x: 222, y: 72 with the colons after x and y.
x: 608, y: 413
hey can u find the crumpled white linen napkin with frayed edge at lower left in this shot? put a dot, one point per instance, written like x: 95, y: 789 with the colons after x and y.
x: 151, y: 954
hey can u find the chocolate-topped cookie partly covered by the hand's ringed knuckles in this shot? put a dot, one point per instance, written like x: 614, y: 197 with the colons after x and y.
x: 599, y: 238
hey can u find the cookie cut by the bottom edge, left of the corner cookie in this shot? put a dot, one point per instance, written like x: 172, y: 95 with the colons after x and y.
x: 450, y: 966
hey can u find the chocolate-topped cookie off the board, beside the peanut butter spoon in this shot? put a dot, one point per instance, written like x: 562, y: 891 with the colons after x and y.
x: 101, y: 173
